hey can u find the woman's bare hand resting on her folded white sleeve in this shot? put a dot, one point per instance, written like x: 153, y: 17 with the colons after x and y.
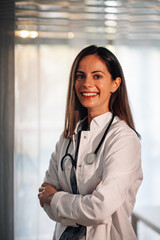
x: 46, y: 192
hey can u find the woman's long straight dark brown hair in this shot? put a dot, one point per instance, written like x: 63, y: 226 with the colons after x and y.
x: 119, y: 104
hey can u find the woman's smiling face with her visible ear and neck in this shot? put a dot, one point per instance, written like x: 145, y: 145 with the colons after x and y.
x: 94, y: 85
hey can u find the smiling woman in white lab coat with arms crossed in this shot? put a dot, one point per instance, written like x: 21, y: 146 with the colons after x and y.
x: 95, y: 171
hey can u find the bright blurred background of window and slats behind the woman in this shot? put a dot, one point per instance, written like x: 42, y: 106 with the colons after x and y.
x: 48, y: 35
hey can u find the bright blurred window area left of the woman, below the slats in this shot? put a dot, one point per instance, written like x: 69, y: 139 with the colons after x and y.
x: 40, y: 94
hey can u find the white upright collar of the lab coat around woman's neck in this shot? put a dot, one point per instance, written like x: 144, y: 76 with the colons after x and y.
x: 98, y: 122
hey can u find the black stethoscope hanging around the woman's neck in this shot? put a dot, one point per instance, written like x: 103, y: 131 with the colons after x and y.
x: 91, y: 156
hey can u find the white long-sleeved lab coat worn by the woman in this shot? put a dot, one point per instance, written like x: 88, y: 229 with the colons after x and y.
x: 107, y: 187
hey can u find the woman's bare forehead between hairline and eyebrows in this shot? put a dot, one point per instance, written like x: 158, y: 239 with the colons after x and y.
x: 92, y: 62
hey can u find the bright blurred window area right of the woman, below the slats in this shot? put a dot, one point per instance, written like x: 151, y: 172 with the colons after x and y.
x: 141, y: 68
